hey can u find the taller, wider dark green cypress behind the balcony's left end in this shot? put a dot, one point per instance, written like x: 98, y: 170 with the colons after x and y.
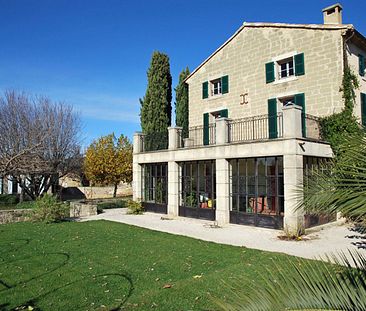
x: 156, y: 107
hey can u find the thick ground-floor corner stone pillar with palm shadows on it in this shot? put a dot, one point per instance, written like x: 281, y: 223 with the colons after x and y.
x: 293, y: 181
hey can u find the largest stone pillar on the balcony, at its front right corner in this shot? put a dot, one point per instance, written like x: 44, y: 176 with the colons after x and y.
x: 292, y: 122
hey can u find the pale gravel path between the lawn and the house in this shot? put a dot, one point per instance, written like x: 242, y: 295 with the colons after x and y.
x: 318, y: 243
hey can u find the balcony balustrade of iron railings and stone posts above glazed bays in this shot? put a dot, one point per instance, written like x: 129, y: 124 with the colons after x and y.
x: 291, y: 123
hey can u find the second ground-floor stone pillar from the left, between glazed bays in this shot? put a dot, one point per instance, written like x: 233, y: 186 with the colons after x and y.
x: 173, y: 188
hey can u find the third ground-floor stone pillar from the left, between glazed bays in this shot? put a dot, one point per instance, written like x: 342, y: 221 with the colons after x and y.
x: 222, y: 192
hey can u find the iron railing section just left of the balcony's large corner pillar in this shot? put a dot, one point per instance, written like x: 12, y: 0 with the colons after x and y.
x: 255, y: 128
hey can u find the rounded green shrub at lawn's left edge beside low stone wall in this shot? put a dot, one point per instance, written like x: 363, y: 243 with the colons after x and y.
x: 48, y: 209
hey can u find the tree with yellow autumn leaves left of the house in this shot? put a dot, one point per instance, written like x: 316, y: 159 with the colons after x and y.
x: 108, y: 161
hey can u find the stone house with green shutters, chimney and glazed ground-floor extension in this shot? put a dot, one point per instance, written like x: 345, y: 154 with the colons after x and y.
x: 254, y: 133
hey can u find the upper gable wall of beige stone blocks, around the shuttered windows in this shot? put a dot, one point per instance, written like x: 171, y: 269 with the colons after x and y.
x: 243, y: 59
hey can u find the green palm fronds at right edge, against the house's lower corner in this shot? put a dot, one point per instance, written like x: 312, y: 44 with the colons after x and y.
x: 340, y: 185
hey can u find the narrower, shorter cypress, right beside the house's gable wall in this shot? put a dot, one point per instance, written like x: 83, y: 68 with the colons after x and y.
x: 181, y: 102
